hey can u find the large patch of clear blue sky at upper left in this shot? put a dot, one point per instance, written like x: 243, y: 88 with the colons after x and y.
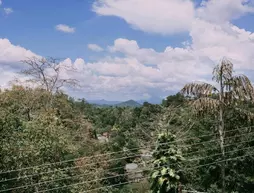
x: 32, y: 26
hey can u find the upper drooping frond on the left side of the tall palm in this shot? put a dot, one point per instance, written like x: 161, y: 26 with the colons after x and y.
x: 199, y: 89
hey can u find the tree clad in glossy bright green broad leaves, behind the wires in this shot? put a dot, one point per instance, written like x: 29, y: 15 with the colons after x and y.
x: 166, y: 174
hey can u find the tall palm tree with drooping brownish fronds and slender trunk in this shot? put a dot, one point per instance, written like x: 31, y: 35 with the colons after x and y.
x: 209, y: 98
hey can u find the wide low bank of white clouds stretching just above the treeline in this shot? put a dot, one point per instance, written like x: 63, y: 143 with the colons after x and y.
x: 129, y: 77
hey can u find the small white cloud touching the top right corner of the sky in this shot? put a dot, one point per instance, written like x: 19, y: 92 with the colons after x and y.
x: 223, y: 11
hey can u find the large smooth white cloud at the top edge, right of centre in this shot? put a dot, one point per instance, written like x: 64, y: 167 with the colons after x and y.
x: 163, y: 17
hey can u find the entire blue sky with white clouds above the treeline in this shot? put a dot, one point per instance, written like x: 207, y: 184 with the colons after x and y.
x: 128, y: 49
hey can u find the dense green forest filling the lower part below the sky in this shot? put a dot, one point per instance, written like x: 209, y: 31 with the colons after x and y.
x: 198, y: 140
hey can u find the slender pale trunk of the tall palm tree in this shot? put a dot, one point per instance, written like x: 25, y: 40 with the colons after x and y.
x: 221, y: 133
